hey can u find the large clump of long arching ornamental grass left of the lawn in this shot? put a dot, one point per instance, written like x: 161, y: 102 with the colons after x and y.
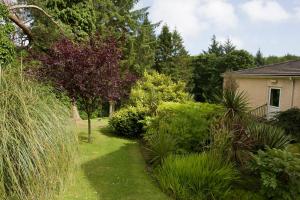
x: 37, y: 145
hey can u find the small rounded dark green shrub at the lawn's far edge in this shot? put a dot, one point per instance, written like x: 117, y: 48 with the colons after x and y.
x: 128, y: 121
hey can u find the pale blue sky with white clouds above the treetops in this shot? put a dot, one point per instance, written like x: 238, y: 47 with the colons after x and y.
x: 270, y: 25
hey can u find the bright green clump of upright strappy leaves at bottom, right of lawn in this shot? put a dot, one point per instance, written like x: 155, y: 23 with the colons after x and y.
x: 196, y: 177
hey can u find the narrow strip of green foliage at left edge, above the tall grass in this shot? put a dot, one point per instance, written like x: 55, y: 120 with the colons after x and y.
x: 7, y: 48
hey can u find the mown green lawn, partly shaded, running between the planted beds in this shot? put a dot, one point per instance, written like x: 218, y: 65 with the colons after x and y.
x: 111, y: 168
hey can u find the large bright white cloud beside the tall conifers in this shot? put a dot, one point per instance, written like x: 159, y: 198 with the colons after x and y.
x: 191, y: 17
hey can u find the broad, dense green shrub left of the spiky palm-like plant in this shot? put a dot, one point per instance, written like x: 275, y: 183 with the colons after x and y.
x: 187, y: 123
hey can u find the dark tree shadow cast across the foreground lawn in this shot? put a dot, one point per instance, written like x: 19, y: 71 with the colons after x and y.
x: 120, y: 175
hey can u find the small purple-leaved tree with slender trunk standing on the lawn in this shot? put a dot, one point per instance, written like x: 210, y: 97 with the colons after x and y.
x: 89, y: 72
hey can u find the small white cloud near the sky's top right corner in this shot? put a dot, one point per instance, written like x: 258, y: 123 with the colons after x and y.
x: 265, y: 10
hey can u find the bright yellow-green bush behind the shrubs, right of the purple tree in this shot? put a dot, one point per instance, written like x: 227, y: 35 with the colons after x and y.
x: 155, y: 88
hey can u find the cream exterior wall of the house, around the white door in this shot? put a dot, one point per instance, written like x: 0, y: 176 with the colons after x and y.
x: 257, y: 90
